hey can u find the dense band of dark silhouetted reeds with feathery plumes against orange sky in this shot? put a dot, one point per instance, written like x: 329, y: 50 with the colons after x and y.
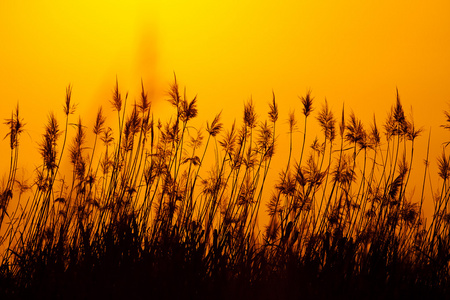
x: 146, y: 213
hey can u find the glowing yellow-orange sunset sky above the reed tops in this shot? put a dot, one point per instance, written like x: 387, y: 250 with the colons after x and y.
x: 352, y: 52
